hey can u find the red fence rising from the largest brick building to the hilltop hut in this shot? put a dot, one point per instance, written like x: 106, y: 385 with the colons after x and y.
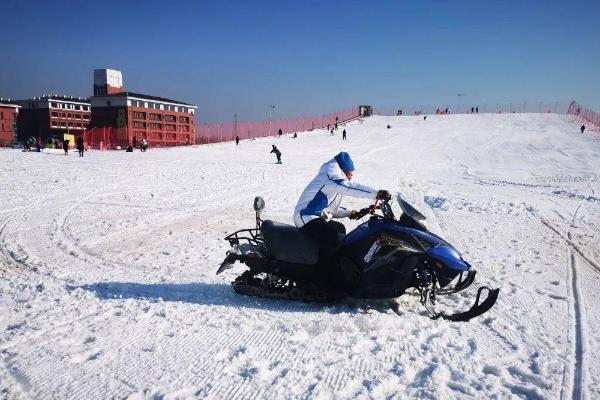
x: 247, y: 130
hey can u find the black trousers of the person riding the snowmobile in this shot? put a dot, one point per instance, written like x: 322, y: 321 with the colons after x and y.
x: 325, y: 234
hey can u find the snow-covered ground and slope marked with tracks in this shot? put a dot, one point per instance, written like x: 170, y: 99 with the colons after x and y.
x: 108, y: 286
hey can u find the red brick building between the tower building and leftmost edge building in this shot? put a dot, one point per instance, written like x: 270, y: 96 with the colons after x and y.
x: 51, y: 116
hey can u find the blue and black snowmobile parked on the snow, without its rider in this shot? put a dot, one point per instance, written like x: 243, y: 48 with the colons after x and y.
x: 381, y: 258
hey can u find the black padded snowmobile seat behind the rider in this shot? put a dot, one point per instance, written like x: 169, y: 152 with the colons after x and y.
x: 286, y: 243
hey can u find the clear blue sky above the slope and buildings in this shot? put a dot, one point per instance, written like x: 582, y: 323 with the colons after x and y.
x: 306, y: 57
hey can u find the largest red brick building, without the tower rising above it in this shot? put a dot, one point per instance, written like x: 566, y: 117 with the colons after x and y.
x: 161, y: 121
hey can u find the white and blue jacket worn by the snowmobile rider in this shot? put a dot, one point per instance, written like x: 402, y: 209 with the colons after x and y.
x: 324, y: 194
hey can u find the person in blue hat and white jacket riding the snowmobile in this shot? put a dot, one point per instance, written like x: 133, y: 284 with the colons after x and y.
x: 320, y: 202
